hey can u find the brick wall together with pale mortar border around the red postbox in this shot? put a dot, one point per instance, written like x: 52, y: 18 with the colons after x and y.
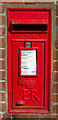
x: 4, y: 4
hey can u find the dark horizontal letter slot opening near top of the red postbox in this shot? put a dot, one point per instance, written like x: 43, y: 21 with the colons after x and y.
x: 29, y: 27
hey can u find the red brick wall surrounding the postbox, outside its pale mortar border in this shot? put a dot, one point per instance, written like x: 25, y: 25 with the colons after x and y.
x: 3, y: 113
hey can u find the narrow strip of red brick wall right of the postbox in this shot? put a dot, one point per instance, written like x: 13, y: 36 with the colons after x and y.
x: 55, y: 86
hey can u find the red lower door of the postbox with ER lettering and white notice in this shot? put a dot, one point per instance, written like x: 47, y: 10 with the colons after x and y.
x: 29, y: 86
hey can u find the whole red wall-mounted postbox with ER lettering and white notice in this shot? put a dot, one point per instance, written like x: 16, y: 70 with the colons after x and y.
x: 29, y: 59
